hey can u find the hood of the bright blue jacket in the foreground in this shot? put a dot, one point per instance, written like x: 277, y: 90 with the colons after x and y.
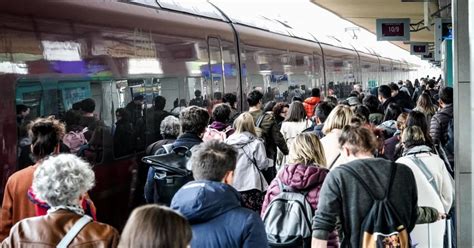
x: 201, y: 201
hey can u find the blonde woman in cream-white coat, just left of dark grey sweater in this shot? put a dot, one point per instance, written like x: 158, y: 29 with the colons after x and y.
x: 339, y: 117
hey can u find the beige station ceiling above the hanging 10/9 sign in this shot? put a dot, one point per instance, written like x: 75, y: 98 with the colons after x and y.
x: 364, y: 13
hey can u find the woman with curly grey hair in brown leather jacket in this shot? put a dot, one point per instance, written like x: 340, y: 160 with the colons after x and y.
x: 62, y: 182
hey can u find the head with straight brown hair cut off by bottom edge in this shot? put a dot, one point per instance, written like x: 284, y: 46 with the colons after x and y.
x: 156, y: 226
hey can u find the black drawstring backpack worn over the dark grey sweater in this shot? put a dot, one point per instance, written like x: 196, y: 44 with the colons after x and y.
x: 381, y: 226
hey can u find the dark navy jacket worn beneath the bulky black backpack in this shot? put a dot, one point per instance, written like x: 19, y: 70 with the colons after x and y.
x: 186, y: 139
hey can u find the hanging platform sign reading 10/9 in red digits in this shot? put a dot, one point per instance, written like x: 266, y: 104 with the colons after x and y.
x: 393, y: 29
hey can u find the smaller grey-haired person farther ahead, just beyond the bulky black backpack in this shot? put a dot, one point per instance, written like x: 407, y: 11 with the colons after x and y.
x: 170, y: 129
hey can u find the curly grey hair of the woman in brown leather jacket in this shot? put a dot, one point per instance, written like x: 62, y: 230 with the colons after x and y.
x: 60, y: 180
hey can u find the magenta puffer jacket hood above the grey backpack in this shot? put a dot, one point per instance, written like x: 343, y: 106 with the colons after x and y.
x: 300, y: 176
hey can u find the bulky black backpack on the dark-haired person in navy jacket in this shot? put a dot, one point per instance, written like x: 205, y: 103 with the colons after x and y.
x: 170, y: 173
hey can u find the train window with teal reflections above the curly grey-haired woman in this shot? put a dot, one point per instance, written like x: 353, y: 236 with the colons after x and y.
x: 52, y: 98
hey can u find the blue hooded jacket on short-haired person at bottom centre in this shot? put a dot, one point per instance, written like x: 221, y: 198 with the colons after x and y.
x: 217, y: 218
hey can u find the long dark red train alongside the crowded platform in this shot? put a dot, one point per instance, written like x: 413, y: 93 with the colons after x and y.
x: 56, y: 53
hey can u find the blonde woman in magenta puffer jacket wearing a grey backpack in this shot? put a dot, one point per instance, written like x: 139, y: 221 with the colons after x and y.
x: 305, y: 172
